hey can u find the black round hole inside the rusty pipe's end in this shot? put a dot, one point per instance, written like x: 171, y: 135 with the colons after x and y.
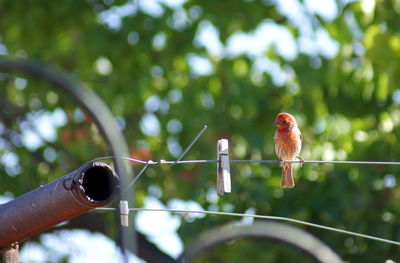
x: 99, y: 183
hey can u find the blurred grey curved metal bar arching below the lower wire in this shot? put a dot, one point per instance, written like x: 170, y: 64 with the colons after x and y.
x: 267, y: 230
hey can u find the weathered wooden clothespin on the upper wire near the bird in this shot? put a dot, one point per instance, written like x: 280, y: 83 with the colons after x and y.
x: 223, y: 169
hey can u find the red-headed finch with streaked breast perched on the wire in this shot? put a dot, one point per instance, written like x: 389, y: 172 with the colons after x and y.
x: 287, y: 145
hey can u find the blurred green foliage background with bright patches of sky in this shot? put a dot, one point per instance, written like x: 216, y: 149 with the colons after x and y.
x: 168, y: 67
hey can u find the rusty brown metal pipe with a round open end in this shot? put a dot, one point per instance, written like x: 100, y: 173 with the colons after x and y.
x: 92, y: 185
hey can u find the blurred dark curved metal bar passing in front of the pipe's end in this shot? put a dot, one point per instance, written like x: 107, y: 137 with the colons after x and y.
x: 97, y: 110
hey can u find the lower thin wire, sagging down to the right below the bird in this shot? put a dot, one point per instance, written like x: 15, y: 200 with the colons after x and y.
x: 279, y: 218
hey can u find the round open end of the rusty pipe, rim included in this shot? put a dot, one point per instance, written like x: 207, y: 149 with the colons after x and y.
x: 95, y: 184
